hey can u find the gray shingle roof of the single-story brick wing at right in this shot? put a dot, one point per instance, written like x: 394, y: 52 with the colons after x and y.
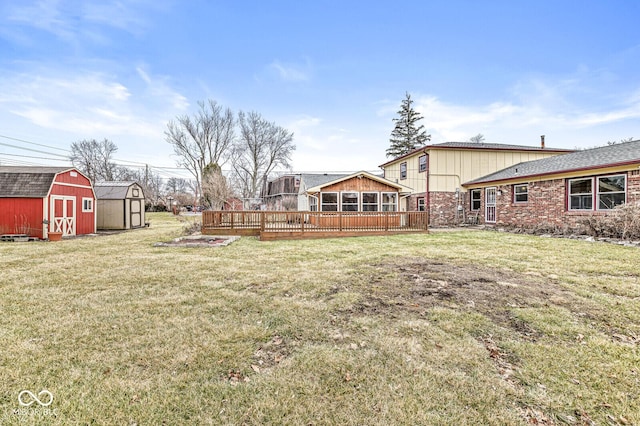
x: 610, y: 155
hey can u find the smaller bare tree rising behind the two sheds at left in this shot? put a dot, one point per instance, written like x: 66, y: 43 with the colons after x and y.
x: 95, y: 159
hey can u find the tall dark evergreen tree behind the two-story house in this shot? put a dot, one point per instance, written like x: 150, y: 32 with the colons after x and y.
x: 408, y: 134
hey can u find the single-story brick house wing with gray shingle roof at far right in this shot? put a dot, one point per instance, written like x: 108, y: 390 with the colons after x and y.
x: 560, y: 191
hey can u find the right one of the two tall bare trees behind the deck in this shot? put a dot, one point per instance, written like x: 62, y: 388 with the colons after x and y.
x: 262, y: 146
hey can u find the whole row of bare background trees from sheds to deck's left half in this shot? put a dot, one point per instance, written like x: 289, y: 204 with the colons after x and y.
x: 205, y: 142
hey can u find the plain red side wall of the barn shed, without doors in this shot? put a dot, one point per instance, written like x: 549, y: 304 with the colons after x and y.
x: 21, y: 216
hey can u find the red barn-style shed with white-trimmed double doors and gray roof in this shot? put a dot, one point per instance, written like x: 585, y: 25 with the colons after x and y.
x: 38, y: 200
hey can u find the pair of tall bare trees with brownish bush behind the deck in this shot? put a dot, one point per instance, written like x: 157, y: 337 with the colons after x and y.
x: 252, y: 146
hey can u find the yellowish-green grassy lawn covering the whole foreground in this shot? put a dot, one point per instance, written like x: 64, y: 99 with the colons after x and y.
x: 449, y: 328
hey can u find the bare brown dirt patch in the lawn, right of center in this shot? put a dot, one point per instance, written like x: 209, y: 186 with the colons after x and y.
x: 420, y: 284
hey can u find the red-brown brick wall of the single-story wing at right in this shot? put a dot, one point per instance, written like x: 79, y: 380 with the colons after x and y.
x: 546, y: 206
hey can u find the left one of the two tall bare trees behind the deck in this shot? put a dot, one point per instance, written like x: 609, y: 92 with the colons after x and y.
x: 205, y: 138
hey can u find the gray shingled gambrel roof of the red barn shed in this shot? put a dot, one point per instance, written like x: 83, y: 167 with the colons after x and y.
x: 27, y: 182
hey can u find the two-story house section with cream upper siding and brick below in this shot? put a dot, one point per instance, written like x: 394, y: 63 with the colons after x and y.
x: 435, y: 173
